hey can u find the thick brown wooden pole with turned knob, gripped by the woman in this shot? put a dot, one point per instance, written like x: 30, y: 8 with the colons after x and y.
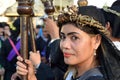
x: 25, y: 10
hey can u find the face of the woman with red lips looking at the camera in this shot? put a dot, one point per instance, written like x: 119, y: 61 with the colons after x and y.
x: 77, y: 46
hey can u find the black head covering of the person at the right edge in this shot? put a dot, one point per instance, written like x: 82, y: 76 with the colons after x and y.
x: 111, y: 15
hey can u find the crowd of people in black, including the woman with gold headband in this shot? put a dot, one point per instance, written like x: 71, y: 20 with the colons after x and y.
x: 82, y: 44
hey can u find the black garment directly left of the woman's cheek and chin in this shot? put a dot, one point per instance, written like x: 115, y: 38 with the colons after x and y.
x: 56, y: 59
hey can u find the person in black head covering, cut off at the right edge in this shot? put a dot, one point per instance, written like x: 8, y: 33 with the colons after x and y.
x: 112, y: 19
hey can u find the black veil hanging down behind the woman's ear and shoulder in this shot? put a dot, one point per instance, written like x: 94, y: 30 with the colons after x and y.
x: 109, y: 57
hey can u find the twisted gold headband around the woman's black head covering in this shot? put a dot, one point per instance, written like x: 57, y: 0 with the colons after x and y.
x: 71, y: 15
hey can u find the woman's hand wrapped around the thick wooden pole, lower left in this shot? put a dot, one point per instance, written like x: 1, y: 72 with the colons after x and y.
x: 22, y: 68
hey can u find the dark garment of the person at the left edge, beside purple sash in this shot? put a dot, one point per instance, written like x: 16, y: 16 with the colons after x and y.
x: 10, y: 66
